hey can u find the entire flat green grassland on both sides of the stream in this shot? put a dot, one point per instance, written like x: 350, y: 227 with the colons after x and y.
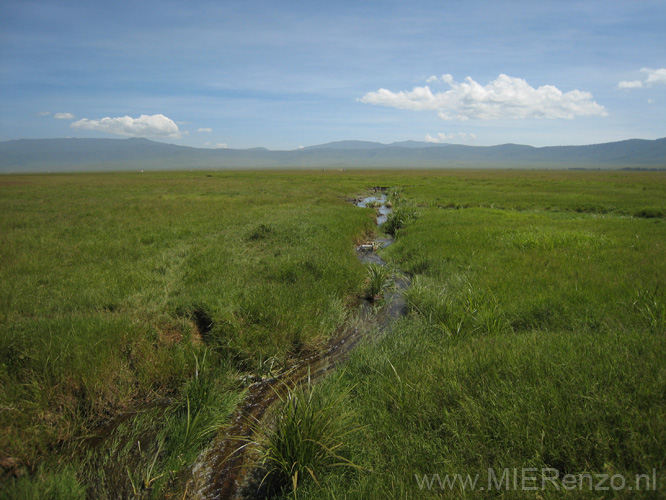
x: 535, y: 337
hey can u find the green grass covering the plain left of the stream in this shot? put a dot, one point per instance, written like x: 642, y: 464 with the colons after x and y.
x: 115, y: 288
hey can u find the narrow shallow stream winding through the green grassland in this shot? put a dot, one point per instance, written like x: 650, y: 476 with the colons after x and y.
x: 224, y: 470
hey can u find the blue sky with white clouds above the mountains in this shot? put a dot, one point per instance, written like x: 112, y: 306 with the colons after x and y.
x: 288, y: 74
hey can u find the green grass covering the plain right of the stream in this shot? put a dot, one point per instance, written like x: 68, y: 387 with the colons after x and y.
x: 534, y: 339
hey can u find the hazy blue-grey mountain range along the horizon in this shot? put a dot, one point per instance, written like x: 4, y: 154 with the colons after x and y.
x: 60, y: 155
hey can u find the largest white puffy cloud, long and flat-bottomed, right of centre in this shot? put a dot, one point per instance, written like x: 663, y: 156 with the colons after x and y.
x: 503, y: 98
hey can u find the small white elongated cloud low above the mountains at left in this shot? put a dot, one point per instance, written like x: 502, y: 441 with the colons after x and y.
x: 145, y: 125
